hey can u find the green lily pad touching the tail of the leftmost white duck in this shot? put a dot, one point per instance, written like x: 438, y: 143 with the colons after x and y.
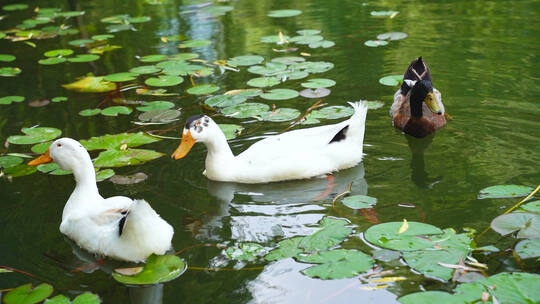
x: 158, y: 269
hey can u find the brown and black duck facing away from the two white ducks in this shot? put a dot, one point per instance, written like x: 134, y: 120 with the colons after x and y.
x: 417, y: 109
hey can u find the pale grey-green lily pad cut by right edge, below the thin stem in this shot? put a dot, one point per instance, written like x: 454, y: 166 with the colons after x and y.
x: 528, y: 224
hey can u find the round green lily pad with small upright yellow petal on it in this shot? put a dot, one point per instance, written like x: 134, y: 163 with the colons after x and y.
x: 386, y: 235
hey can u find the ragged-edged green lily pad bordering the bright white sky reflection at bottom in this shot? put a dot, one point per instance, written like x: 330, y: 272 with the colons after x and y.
x: 337, y: 264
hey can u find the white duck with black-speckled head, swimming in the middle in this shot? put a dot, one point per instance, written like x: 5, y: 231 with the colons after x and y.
x: 297, y: 154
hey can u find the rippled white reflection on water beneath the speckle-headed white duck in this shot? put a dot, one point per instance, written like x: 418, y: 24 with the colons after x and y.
x: 262, y: 212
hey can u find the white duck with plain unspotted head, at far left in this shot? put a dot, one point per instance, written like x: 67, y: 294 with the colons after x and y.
x: 117, y: 227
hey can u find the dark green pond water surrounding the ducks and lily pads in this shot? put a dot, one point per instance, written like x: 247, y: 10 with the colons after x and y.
x: 484, y: 58
